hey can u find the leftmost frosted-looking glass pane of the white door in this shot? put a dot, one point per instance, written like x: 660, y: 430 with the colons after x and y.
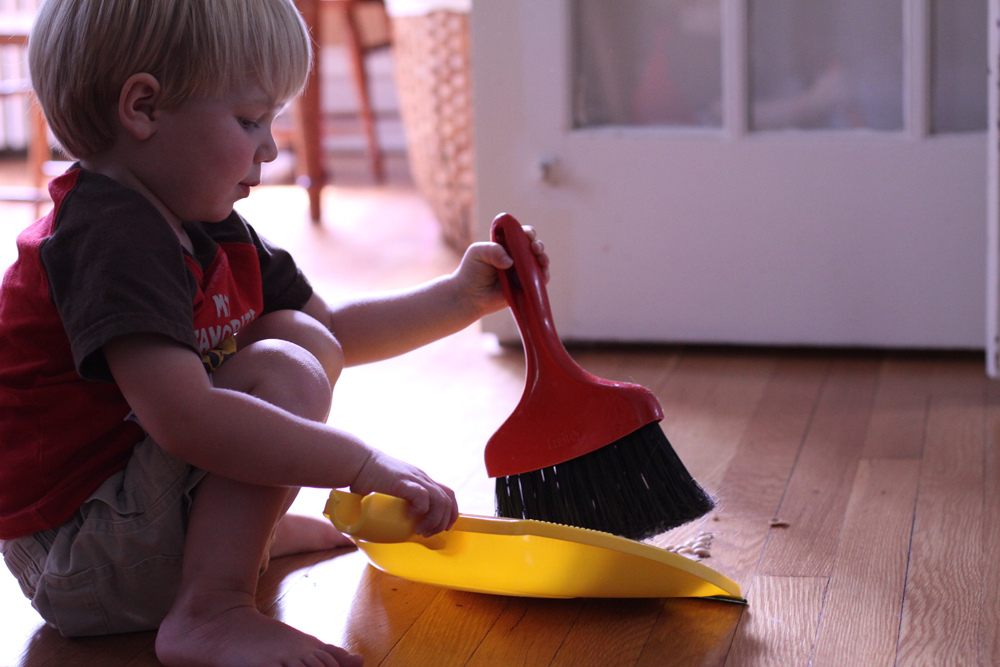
x: 647, y: 62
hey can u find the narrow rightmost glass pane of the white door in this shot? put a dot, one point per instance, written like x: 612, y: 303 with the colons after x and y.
x: 958, y: 81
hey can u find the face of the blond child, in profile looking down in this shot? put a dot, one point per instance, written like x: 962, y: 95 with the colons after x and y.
x: 209, y: 152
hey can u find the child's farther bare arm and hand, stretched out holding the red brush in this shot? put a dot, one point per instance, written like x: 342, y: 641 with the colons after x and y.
x: 387, y: 325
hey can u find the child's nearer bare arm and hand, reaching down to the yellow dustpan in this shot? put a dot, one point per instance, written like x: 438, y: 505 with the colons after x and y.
x: 241, y: 437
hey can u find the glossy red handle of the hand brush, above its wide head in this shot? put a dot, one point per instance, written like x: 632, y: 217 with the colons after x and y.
x: 524, y: 287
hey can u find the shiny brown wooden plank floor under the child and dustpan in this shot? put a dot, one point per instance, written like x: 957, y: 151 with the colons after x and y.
x: 855, y: 492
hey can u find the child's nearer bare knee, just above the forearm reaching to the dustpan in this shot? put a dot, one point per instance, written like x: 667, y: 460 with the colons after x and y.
x: 281, y: 373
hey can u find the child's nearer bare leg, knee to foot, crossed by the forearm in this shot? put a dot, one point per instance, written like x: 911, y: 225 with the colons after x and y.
x: 214, y: 619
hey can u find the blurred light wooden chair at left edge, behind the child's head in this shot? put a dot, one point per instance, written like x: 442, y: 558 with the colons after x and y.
x: 14, y: 30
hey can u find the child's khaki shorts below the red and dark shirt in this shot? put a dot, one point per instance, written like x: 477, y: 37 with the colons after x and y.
x: 116, y: 565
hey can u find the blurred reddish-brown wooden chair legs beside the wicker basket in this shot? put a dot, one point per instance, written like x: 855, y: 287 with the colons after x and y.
x: 309, y: 133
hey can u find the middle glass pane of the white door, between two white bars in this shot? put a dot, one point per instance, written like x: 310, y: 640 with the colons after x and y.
x: 836, y: 64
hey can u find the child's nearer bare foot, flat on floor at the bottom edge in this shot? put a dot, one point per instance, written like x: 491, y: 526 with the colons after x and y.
x: 227, y: 630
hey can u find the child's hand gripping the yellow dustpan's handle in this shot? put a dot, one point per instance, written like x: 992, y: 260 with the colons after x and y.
x: 433, y: 503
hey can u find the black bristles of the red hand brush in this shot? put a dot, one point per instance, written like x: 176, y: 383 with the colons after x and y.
x: 636, y: 487
